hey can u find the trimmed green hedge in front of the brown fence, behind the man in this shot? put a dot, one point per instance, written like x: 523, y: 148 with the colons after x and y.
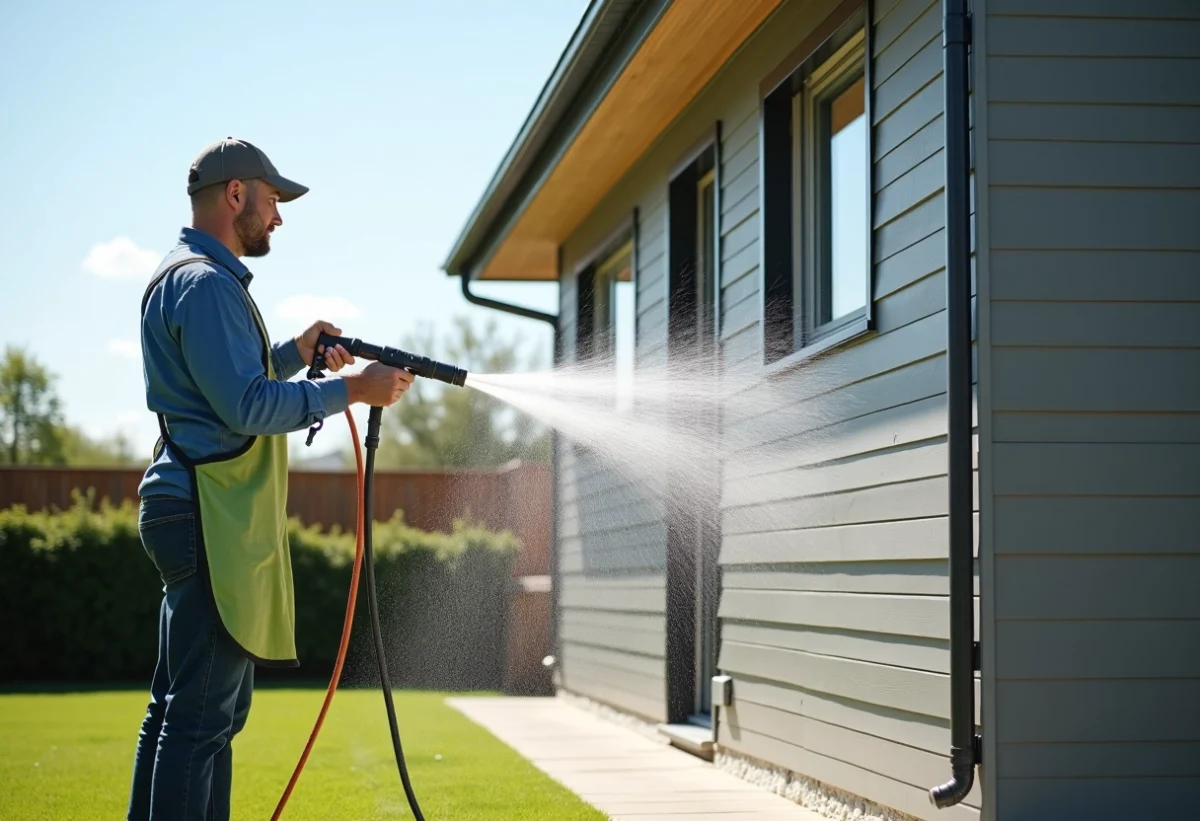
x: 80, y: 601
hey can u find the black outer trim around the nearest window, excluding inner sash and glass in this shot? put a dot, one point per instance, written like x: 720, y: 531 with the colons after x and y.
x: 777, y: 259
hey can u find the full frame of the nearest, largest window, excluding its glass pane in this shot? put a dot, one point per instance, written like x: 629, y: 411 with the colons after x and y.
x: 794, y: 250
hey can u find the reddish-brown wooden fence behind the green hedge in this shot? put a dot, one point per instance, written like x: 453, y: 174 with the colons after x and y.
x: 515, y: 499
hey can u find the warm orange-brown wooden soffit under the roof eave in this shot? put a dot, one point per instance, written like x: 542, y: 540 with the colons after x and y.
x: 692, y: 43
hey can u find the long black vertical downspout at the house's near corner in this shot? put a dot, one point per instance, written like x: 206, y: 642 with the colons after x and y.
x: 964, y: 744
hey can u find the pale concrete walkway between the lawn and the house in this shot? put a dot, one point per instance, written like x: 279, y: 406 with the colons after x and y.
x: 621, y: 772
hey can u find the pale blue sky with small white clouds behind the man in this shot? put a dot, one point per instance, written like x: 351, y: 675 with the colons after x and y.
x: 395, y: 115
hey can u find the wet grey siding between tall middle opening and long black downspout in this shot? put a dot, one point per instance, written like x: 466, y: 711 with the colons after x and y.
x: 833, y: 507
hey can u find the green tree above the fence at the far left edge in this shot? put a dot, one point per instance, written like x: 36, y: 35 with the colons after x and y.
x: 31, y: 414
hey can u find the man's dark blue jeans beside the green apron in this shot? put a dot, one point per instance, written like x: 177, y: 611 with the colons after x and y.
x: 200, y: 697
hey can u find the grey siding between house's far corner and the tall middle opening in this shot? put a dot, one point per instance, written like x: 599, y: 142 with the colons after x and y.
x: 611, y: 534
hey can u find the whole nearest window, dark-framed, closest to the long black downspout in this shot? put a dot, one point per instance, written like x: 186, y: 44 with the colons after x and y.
x: 817, y: 191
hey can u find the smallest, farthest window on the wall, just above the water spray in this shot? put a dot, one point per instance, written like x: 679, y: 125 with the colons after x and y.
x: 605, y: 316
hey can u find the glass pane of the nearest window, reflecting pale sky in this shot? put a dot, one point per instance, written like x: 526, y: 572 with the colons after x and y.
x: 848, y: 203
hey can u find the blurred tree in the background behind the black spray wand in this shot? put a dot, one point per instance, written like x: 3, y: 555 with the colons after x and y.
x: 437, y: 426
